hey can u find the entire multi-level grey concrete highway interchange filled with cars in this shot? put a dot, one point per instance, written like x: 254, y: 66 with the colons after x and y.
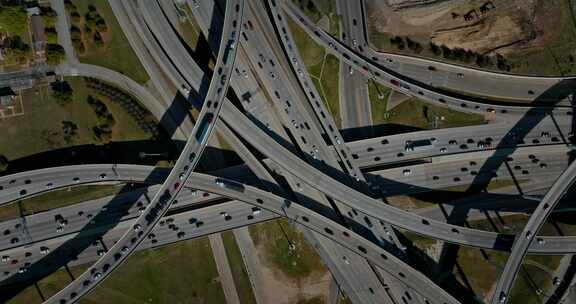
x: 335, y: 191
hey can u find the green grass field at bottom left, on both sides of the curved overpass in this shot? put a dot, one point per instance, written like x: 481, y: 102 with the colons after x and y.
x: 184, y: 272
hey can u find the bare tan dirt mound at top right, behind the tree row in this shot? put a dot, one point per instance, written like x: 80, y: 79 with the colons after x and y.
x: 478, y: 25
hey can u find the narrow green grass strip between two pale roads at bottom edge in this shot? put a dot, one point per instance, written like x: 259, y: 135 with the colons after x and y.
x: 241, y: 279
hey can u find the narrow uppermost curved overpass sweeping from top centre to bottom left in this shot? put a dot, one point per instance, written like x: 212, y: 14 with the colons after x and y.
x: 181, y: 171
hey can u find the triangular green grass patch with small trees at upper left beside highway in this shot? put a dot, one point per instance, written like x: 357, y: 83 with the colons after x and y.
x: 116, y: 54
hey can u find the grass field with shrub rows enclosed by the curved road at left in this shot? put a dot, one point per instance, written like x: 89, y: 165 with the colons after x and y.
x: 34, y: 133
